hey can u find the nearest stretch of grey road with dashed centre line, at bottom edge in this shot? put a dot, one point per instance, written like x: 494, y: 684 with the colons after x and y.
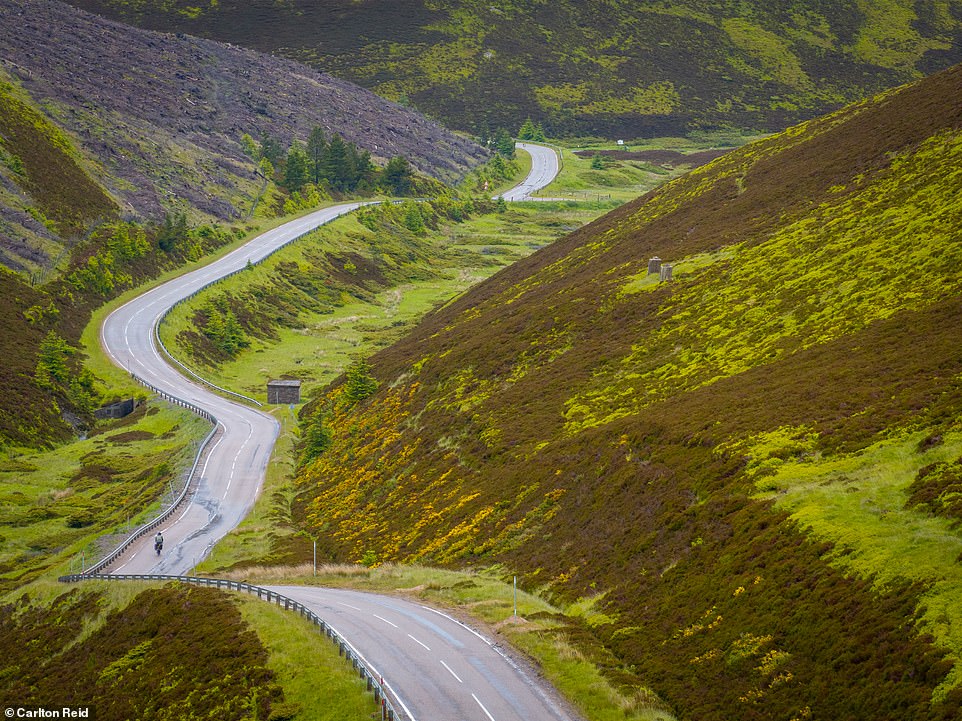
x: 434, y: 666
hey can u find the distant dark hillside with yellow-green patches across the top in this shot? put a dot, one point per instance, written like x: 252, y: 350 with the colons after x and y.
x: 614, y: 67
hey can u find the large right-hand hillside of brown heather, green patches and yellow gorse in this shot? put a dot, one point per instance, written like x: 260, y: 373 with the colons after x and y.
x: 751, y: 471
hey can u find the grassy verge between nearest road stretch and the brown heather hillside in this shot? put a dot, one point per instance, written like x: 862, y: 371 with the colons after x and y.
x: 551, y: 637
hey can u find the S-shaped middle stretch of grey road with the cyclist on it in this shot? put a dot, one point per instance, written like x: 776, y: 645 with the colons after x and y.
x: 233, y: 471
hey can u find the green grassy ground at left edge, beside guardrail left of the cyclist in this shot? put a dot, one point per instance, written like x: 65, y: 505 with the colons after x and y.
x: 57, y: 504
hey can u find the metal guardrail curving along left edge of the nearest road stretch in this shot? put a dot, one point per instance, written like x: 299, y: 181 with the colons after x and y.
x: 375, y: 682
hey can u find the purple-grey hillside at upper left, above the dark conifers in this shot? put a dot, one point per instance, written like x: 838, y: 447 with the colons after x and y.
x: 100, y: 119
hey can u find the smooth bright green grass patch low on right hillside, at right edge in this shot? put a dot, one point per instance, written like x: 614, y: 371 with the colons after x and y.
x: 860, y: 503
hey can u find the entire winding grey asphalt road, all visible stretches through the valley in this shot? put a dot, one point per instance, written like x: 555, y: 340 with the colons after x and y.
x: 435, y: 667
